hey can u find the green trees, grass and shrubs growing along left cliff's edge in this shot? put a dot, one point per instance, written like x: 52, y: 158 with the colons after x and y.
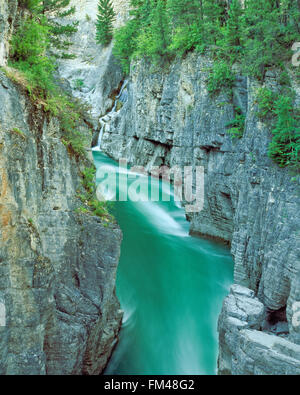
x: 36, y: 44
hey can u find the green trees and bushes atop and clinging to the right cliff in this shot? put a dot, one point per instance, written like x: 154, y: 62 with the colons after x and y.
x: 257, y: 36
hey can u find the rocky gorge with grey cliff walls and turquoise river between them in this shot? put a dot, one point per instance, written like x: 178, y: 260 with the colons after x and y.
x: 154, y: 289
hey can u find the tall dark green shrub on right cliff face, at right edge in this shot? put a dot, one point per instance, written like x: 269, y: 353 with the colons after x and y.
x: 285, y: 146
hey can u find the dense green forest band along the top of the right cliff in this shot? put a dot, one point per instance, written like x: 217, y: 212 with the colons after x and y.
x: 258, y: 35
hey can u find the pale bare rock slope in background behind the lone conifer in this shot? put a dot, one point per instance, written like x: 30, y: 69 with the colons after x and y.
x: 94, y: 75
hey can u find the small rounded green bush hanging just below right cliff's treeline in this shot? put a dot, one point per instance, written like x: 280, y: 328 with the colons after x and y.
x: 220, y: 77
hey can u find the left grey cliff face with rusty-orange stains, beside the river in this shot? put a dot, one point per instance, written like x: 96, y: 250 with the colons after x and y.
x: 58, y: 309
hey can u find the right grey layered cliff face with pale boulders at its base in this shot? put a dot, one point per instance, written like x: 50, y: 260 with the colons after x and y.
x: 171, y: 119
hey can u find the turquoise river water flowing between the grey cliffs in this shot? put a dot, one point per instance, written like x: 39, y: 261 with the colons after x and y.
x: 170, y: 286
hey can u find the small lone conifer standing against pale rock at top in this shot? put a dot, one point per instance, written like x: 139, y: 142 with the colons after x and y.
x: 106, y: 16
